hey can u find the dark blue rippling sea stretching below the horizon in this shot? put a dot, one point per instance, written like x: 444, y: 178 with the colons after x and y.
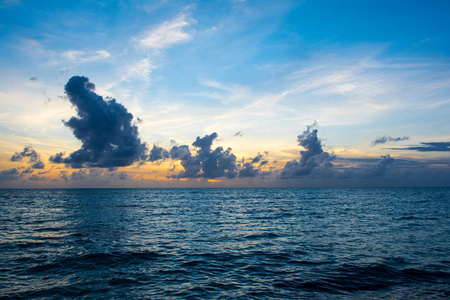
x: 225, y: 243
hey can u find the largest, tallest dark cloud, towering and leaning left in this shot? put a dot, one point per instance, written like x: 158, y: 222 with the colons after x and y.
x: 109, y: 139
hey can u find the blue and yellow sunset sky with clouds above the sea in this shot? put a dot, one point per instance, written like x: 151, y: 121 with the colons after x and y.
x: 148, y: 94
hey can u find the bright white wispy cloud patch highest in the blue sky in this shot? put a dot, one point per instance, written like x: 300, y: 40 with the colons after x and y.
x: 167, y: 34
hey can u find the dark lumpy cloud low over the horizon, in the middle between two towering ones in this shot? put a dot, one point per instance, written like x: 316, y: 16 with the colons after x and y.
x: 206, y: 163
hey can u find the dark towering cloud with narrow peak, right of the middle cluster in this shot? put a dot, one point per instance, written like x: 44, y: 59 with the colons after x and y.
x: 313, y: 159
